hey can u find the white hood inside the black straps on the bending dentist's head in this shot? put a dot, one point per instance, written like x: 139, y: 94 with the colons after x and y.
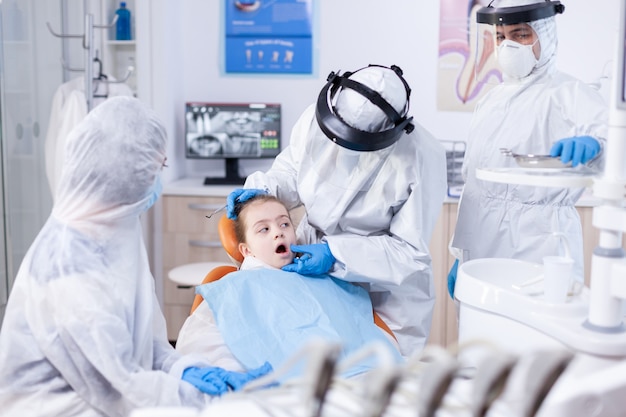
x: 359, y: 112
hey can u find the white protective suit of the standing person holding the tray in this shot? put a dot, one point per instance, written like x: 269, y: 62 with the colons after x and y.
x: 526, y: 115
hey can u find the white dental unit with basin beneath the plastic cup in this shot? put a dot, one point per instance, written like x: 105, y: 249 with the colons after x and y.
x: 495, y: 308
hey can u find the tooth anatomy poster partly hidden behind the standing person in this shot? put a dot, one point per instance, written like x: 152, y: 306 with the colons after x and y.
x: 458, y: 89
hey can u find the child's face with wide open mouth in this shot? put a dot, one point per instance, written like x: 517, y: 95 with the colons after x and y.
x: 269, y: 233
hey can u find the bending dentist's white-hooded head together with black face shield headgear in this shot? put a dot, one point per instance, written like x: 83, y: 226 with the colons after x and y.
x: 356, y: 113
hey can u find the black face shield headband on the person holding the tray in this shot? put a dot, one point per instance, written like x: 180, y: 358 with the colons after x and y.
x: 520, y: 14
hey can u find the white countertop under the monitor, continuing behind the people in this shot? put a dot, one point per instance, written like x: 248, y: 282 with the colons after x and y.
x: 195, y: 187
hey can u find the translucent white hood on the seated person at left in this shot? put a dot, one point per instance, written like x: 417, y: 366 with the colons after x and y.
x: 112, y: 161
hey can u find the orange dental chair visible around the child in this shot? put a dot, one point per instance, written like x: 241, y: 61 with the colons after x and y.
x: 226, y: 232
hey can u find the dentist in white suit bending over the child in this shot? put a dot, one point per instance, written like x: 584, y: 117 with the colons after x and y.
x: 372, y: 182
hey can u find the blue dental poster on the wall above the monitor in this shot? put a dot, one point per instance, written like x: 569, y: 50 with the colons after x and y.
x: 269, y: 36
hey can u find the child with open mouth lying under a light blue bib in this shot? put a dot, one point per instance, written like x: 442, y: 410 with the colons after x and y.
x: 261, y: 313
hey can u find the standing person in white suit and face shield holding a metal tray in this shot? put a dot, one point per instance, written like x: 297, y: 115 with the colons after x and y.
x: 535, y: 110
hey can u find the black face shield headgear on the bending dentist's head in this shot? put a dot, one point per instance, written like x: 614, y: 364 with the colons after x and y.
x: 349, y: 137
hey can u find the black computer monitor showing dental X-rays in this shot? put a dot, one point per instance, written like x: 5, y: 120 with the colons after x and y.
x: 231, y: 131
